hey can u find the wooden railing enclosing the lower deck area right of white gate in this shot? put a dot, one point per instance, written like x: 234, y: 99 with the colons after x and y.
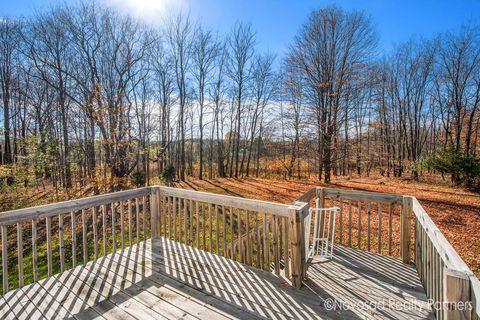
x: 399, y: 226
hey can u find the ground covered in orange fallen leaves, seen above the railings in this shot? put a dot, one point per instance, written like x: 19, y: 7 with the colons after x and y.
x: 455, y: 211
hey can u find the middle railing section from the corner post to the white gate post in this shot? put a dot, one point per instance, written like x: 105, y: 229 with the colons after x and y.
x: 263, y: 234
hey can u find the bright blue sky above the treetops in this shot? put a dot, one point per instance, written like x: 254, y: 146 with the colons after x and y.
x: 277, y: 21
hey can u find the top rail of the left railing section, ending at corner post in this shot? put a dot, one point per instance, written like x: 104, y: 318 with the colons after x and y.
x: 48, y: 210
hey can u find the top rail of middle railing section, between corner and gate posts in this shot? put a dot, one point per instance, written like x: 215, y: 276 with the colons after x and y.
x: 237, y: 202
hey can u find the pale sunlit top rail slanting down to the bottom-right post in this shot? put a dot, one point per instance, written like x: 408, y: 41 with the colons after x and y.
x: 447, y: 252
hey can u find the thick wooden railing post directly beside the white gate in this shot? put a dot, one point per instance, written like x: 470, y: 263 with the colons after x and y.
x: 298, y: 268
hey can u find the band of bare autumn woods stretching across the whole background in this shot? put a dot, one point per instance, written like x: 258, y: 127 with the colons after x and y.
x: 93, y: 97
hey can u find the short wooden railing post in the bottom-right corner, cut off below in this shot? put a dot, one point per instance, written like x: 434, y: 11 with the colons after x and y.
x: 457, y: 303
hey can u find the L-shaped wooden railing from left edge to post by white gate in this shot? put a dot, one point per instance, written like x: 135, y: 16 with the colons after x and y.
x: 41, y: 241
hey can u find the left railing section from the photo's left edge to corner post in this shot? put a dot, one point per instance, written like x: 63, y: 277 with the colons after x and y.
x: 57, y: 237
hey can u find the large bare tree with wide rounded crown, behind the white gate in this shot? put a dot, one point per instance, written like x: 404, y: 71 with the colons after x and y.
x: 332, y: 46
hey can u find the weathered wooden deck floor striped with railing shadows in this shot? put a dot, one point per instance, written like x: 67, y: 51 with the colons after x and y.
x: 165, y: 279
